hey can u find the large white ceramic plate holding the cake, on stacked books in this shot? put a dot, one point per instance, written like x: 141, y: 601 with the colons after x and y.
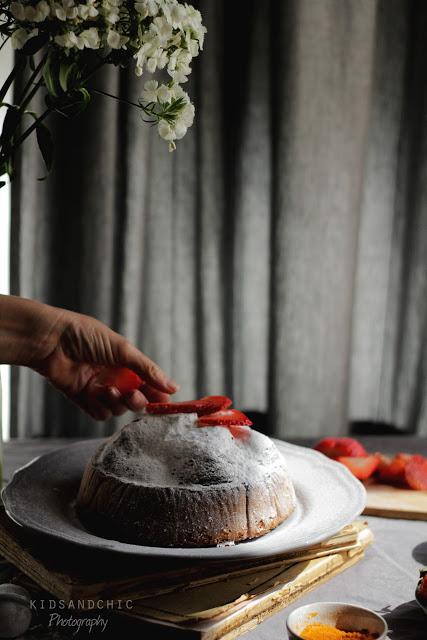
x: 40, y: 498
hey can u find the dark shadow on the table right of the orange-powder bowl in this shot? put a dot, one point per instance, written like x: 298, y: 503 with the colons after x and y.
x: 405, y: 622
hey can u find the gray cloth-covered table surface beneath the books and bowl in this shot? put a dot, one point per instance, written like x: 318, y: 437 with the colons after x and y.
x: 384, y: 580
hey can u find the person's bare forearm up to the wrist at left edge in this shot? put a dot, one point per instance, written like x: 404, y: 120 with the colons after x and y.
x: 27, y: 329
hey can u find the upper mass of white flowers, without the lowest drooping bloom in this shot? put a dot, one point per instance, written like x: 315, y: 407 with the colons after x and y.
x: 171, y: 28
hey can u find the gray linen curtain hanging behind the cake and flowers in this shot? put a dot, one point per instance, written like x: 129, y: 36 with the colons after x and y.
x: 279, y: 255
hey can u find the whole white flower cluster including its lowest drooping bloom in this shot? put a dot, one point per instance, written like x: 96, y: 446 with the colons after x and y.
x: 157, y: 34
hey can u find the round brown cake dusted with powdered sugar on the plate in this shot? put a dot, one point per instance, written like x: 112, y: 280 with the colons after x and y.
x: 165, y: 481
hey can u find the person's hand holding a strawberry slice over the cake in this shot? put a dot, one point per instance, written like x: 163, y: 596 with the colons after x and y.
x: 80, y: 357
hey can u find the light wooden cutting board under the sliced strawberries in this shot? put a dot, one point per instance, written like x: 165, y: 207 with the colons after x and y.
x: 392, y: 502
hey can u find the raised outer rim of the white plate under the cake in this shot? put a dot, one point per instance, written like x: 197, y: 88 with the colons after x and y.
x: 255, y: 548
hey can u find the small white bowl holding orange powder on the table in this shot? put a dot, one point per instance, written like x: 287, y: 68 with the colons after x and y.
x: 348, y: 617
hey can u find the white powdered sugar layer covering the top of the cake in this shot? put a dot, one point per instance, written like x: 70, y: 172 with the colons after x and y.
x: 172, y: 451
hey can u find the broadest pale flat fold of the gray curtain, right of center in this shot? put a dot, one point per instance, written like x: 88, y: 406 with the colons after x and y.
x: 320, y: 142
